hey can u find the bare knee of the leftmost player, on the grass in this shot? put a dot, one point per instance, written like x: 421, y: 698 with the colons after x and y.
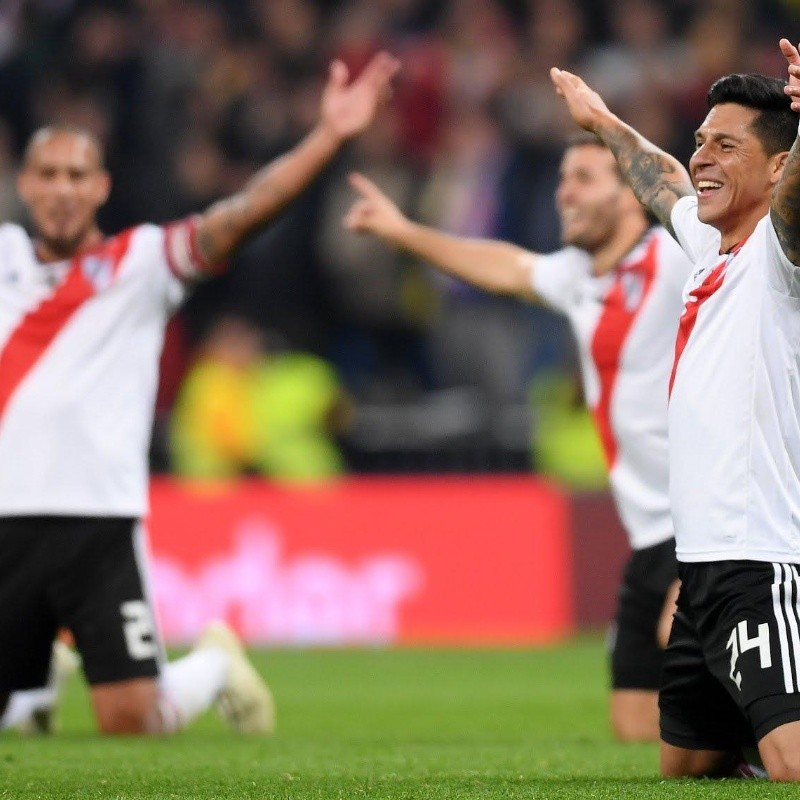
x: 127, y: 707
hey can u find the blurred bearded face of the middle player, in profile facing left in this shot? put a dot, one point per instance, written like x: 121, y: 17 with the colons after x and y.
x: 590, y: 196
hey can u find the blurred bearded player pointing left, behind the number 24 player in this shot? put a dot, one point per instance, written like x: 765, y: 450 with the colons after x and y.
x: 619, y: 282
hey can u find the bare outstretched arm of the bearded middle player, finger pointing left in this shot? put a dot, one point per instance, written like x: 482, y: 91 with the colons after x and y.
x: 497, y: 267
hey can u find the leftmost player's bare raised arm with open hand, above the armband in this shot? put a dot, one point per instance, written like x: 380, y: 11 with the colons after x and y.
x: 346, y: 109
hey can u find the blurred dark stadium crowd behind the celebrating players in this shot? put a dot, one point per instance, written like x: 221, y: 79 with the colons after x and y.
x: 405, y: 370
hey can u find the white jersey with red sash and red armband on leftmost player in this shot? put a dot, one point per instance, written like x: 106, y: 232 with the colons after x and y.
x: 79, y: 349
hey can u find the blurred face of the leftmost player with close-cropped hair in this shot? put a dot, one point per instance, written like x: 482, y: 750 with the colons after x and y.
x: 63, y: 184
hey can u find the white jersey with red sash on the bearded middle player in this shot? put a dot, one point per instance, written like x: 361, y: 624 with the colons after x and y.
x: 625, y: 324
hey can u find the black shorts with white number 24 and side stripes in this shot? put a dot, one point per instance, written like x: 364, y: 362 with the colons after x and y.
x: 732, y: 673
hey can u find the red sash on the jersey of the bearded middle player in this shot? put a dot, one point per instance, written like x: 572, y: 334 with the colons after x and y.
x: 621, y: 304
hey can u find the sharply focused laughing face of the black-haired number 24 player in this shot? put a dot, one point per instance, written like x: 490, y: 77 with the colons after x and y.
x: 732, y: 174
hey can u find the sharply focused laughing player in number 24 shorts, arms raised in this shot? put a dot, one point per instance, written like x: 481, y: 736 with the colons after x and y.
x: 732, y: 668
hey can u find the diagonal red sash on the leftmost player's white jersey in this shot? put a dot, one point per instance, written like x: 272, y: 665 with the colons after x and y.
x: 36, y: 331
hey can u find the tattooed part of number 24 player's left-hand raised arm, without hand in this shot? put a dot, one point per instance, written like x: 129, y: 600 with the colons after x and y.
x: 658, y: 180
